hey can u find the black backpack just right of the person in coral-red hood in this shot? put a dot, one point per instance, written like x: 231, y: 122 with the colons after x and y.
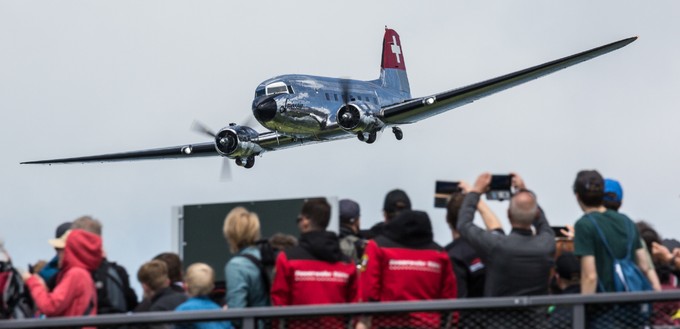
x: 110, y: 289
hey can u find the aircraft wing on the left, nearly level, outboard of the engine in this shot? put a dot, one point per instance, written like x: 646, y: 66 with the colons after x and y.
x: 178, y: 152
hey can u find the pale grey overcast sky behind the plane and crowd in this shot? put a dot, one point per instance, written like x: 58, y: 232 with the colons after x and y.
x: 86, y: 77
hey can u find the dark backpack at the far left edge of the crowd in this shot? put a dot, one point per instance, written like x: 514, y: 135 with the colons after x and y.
x: 16, y: 301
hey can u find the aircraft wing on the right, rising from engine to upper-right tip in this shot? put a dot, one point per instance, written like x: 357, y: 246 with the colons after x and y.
x: 420, y: 108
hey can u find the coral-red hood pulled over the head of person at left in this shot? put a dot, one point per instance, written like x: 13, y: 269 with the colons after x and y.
x: 83, y: 249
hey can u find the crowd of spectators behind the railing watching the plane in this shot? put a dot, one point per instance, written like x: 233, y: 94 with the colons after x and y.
x: 396, y: 260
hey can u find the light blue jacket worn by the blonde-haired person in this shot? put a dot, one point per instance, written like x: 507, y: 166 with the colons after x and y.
x: 244, y: 284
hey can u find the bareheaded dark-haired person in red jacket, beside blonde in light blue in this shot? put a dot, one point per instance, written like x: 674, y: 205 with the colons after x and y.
x: 315, y: 271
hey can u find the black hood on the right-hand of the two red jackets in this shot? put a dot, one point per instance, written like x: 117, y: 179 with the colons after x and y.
x: 411, y: 228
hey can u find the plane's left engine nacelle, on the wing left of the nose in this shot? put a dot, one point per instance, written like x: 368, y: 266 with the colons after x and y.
x: 237, y: 141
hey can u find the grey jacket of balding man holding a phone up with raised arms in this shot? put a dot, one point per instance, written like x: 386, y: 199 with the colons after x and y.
x: 517, y: 264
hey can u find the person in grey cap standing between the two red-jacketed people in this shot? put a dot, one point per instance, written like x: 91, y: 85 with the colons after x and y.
x: 351, y: 243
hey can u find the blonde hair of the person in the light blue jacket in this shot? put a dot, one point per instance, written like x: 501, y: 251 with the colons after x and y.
x: 241, y: 228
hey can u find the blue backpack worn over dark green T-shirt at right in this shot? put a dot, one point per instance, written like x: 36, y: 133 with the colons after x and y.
x: 627, y: 275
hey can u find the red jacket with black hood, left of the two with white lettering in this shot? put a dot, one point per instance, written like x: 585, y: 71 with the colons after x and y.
x: 314, y: 272
